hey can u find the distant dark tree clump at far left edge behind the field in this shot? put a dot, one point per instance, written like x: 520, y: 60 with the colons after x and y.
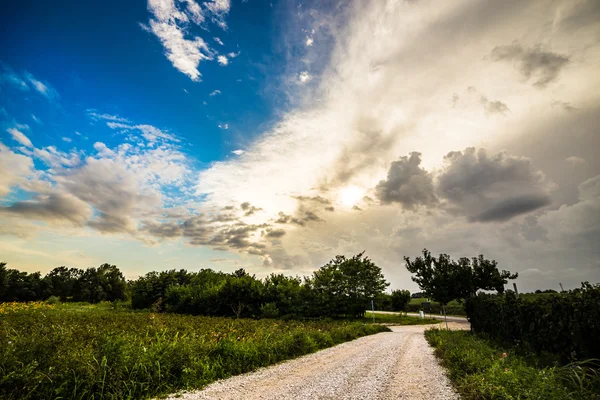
x: 105, y: 283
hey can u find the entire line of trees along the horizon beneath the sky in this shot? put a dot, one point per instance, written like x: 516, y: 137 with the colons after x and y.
x: 344, y: 287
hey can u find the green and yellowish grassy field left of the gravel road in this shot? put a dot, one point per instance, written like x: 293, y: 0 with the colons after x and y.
x: 79, y: 351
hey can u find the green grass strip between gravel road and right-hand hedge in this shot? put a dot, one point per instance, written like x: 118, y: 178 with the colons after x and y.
x: 480, y: 369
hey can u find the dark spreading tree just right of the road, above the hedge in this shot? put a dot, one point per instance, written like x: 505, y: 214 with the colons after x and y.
x: 444, y: 280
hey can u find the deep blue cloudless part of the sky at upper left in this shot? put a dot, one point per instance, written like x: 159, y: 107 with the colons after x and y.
x: 110, y: 63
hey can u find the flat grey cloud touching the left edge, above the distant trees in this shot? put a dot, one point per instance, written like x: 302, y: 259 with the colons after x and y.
x: 52, y: 208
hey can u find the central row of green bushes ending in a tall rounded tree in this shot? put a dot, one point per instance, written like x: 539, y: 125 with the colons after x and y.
x: 341, y: 288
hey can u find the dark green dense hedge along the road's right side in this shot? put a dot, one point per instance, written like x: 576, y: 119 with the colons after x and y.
x: 566, y: 324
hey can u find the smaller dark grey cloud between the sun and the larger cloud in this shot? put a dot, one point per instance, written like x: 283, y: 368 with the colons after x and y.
x: 407, y: 183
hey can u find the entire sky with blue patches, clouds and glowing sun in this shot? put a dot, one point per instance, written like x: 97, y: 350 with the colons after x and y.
x: 272, y: 136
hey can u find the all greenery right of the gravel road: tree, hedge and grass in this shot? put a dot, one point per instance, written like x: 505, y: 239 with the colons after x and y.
x: 542, y: 345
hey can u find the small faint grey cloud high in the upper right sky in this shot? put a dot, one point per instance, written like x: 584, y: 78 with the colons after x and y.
x: 545, y: 66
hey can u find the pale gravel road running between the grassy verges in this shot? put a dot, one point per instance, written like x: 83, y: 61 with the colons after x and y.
x: 390, y: 365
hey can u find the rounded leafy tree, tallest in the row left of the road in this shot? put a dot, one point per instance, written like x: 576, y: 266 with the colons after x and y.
x: 345, y: 285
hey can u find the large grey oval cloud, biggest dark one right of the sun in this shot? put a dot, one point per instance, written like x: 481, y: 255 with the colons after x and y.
x: 491, y: 188
